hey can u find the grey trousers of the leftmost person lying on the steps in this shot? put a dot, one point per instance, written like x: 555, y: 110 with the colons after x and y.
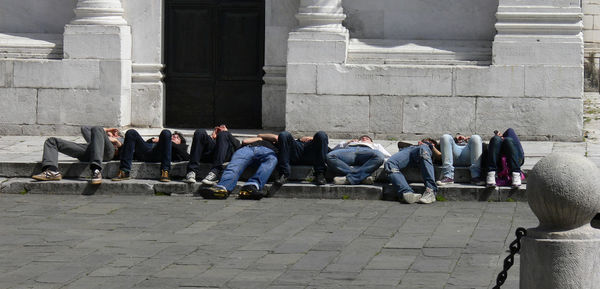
x: 97, y: 149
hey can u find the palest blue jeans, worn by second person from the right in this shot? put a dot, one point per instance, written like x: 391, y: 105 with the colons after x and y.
x: 457, y: 155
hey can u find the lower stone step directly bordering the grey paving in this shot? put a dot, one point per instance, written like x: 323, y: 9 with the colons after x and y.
x: 382, y: 191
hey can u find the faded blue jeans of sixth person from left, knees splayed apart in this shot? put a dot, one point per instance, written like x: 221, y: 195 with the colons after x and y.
x: 356, y: 163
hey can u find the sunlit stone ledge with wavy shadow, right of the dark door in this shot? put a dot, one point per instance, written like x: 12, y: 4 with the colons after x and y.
x: 419, y: 52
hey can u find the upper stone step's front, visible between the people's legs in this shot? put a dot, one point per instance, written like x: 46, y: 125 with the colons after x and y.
x: 151, y: 171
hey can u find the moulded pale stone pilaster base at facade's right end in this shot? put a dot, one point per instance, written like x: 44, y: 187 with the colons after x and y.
x: 540, y: 32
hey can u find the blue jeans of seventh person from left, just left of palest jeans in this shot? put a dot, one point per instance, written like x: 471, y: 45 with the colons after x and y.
x: 414, y: 156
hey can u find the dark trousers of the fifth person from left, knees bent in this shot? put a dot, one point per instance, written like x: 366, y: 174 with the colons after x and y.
x: 295, y: 152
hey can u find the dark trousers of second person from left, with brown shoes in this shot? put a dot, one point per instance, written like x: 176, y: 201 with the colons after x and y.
x: 134, y: 146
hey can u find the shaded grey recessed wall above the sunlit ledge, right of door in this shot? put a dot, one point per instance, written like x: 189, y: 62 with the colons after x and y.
x: 423, y: 20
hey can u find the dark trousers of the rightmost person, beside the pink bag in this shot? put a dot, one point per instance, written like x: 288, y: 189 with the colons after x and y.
x: 507, y: 147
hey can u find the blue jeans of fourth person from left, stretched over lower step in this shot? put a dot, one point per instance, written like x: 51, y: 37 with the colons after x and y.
x: 265, y: 158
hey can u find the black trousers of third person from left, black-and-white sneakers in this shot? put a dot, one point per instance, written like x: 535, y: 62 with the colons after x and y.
x: 209, y: 150
